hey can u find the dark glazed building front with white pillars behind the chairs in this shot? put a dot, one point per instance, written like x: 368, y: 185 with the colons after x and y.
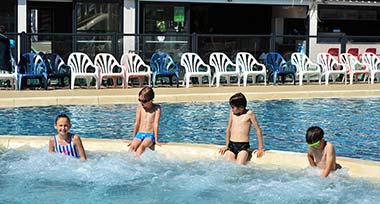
x: 204, y: 26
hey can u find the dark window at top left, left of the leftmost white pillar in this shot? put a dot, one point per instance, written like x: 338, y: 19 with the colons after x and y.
x: 8, y: 15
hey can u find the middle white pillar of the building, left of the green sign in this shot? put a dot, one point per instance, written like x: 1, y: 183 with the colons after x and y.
x: 129, y: 25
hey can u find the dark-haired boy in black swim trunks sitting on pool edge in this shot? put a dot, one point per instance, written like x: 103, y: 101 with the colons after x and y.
x: 237, y: 133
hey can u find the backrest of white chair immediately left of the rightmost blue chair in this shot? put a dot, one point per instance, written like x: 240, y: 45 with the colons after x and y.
x: 245, y: 61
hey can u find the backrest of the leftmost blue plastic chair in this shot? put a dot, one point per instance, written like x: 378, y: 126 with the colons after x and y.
x: 32, y: 63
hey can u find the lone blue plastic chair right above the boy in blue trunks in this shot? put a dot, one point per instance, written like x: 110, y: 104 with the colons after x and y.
x: 163, y: 65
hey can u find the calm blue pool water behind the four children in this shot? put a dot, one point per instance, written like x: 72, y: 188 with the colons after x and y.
x: 351, y: 124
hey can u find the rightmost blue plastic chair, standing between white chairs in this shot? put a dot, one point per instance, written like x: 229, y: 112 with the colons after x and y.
x: 278, y: 66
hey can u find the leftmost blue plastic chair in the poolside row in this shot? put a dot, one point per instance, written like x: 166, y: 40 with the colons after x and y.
x: 32, y: 66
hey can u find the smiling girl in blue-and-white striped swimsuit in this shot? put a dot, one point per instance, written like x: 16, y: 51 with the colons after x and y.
x: 65, y: 142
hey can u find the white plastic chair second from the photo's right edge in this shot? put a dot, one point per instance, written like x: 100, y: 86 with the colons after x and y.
x: 354, y: 66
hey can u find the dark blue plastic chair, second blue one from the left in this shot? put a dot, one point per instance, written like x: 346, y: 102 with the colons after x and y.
x: 56, y: 67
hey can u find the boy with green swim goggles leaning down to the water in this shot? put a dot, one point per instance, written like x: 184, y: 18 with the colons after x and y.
x: 321, y: 153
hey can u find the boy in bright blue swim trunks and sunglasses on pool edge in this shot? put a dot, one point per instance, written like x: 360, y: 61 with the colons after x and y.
x: 146, y: 123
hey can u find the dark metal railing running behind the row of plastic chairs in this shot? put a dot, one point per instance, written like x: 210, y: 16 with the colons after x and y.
x: 176, y: 44
